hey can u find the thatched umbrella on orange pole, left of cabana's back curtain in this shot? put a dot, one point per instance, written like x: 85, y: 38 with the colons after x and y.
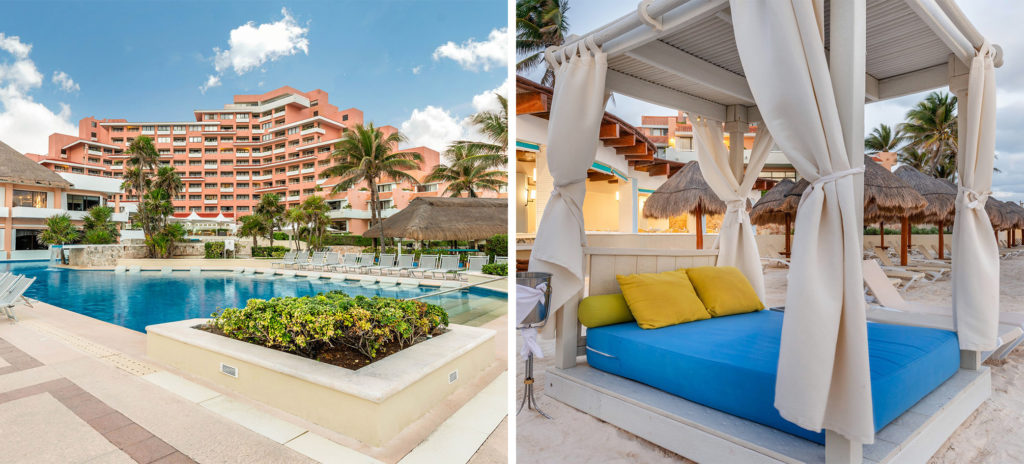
x: 687, y: 192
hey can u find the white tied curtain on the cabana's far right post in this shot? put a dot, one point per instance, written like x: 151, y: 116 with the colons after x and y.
x: 976, y: 257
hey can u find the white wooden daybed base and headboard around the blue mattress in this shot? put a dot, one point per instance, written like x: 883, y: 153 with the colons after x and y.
x: 708, y: 436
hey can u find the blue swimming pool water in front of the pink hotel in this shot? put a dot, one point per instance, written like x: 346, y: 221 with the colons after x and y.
x: 137, y: 301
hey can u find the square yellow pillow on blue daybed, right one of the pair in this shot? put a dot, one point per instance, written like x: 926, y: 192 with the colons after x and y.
x: 724, y: 290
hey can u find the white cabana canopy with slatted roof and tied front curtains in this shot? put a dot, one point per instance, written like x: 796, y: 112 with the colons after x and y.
x: 741, y: 63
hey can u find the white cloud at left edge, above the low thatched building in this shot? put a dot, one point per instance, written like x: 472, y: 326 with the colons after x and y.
x: 26, y: 124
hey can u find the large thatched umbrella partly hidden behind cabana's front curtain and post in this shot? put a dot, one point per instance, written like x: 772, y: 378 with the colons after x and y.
x: 886, y: 197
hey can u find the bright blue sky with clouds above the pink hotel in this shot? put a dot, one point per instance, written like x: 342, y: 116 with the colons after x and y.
x: 148, y: 61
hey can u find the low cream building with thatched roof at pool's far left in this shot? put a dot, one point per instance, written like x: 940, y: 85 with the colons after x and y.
x: 30, y: 194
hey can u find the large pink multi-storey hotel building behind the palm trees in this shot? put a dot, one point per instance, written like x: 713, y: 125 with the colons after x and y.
x: 278, y: 143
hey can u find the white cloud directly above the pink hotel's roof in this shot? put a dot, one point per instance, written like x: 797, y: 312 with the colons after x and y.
x: 251, y: 47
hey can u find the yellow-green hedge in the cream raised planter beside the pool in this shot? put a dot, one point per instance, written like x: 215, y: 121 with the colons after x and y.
x: 307, y: 326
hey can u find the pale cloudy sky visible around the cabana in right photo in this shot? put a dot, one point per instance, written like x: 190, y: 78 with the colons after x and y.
x: 998, y: 21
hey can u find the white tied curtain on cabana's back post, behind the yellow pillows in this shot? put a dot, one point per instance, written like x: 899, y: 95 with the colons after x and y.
x: 737, y: 244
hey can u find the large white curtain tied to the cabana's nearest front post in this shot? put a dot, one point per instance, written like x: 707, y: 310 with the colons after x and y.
x: 824, y: 377
